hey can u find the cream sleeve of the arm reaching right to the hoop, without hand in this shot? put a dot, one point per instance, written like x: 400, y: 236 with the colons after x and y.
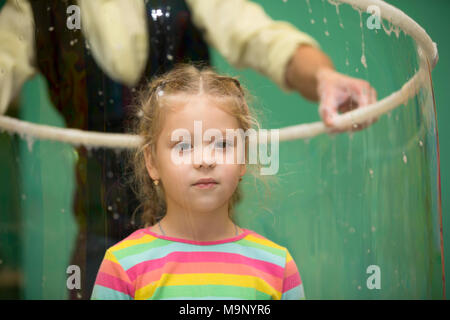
x: 247, y: 37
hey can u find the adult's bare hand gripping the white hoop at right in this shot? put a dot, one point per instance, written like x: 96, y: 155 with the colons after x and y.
x: 339, y: 93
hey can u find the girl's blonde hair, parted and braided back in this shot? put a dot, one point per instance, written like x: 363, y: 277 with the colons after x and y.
x: 148, y: 118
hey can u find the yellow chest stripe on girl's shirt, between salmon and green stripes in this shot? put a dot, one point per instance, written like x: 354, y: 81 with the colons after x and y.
x: 147, y: 291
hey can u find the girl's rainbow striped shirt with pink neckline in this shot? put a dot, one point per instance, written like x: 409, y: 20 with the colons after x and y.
x: 146, y: 265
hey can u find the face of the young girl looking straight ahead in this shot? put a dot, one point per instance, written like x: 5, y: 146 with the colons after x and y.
x: 182, y: 182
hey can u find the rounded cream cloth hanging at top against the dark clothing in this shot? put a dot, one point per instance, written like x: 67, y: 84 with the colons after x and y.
x: 117, y: 34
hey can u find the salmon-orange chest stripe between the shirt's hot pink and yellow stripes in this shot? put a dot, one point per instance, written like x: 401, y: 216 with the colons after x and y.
x: 207, y: 267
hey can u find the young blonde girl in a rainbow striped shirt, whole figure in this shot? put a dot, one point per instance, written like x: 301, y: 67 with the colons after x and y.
x: 190, y: 248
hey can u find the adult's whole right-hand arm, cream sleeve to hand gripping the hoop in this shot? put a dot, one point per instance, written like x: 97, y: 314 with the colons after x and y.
x: 248, y: 38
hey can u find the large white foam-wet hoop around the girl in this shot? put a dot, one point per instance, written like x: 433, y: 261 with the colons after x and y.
x: 427, y: 51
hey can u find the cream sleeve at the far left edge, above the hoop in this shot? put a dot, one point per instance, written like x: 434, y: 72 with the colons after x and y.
x: 16, y: 49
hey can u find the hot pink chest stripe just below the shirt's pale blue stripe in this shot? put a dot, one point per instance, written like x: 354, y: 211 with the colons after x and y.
x: 186, y: 257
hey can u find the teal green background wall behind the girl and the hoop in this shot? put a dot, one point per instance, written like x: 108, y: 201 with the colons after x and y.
x: 339, y: 203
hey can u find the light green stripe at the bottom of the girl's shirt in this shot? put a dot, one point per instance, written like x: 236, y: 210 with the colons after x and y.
x: 198, y: 291
